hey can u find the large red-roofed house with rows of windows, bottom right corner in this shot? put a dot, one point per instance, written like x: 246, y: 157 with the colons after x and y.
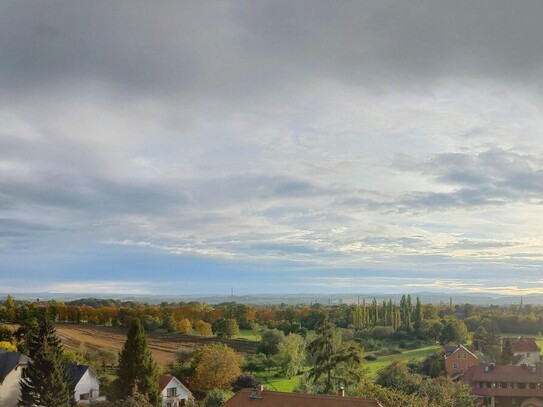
x: 506, y: 386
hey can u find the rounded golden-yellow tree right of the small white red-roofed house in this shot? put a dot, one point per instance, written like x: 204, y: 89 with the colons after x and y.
x: 216, y: 367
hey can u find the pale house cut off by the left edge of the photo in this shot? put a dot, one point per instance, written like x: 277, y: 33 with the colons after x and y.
x: 12, y: 370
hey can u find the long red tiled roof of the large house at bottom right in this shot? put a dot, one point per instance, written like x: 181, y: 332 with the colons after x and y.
x: 504, y: 374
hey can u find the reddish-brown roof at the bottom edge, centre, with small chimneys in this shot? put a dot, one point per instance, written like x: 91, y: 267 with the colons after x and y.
x: 264, y: 398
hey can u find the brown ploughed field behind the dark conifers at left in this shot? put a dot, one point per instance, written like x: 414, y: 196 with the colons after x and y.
x: 162, y: 345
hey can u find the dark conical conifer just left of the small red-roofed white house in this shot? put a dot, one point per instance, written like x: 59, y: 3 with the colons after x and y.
x: 136, y: 367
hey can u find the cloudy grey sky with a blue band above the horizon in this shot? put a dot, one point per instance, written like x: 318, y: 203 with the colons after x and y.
x: 191, y: 147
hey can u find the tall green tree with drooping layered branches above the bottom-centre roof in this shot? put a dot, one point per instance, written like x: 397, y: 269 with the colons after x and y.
x: 334, y: 364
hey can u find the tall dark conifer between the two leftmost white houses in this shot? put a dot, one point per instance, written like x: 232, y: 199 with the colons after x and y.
x: 46, y: 383
